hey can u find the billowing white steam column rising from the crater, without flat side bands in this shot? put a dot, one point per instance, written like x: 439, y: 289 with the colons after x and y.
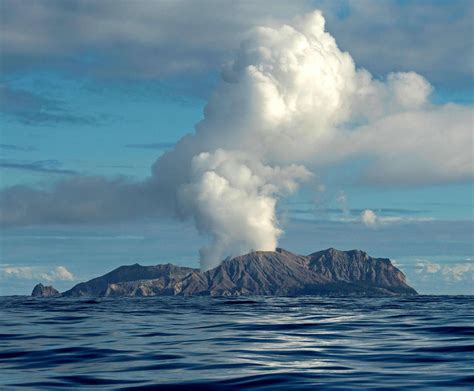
x: 289, y: 92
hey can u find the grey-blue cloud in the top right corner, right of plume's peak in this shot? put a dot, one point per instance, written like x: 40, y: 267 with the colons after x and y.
x: 410, y: 26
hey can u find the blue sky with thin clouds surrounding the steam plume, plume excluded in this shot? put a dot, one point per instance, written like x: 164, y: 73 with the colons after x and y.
x: 82, y: 98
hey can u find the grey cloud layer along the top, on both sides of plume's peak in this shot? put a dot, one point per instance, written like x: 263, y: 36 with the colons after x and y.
x: 169, y: 34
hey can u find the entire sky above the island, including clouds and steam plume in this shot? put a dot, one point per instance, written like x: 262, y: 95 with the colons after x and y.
x: 346, y: 128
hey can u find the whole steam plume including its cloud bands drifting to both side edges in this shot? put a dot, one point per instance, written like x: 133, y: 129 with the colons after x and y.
x: 290, y: 103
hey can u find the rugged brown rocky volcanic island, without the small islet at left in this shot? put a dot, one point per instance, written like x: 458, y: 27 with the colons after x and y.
x: 258, y: 273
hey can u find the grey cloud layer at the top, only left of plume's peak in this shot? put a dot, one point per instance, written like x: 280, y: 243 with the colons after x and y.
x: 164, y: 33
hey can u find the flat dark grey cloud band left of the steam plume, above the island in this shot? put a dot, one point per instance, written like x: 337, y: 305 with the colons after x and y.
x: 80, y: 200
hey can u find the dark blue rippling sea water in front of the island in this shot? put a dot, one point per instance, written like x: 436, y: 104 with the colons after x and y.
x: 176, y: 343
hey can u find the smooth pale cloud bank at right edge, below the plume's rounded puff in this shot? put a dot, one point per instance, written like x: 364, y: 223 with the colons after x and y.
x: 418, y: 147
